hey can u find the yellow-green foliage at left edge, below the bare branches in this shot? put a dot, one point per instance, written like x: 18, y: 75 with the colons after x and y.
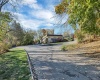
x: 5, y: 19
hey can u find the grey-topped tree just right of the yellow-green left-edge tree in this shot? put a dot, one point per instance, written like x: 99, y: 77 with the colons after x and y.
x: 17, y: 32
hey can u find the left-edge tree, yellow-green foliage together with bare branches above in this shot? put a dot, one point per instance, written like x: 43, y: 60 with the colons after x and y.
x: 5, y: 20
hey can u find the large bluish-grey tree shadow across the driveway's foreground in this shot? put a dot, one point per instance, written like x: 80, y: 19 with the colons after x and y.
x: 58, y: 69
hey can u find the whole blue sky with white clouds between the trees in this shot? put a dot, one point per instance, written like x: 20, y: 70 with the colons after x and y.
x: 38, y: 14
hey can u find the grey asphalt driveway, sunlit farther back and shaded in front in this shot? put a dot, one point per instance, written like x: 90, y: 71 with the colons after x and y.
x: 52, y: 64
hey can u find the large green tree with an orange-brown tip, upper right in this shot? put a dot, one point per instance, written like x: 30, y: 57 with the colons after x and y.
x: 83, y: 14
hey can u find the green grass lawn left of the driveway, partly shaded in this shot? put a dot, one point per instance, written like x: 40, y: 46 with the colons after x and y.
x: 14, y: 65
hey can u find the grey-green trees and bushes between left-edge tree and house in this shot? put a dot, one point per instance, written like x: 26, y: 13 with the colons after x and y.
x: 20, y: 36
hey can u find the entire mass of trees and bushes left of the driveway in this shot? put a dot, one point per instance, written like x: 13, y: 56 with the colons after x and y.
x: 11, y: 32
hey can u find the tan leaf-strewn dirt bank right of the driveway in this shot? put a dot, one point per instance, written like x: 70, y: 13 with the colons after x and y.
x: 89, y: 50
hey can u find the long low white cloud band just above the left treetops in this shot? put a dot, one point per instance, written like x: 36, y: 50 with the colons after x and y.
x: 32, y: 23
